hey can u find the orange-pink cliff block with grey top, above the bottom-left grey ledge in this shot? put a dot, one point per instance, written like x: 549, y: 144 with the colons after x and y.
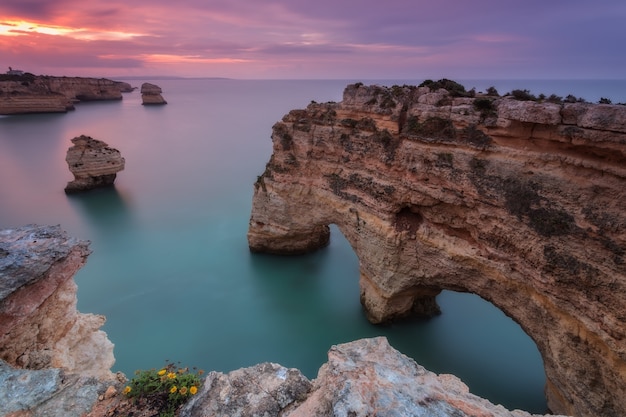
x: 39, y: 325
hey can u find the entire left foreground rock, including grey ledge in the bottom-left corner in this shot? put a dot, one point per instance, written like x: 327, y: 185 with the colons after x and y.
x: 53, y: 360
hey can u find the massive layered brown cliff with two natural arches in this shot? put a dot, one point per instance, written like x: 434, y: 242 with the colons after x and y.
x: 522, y: 203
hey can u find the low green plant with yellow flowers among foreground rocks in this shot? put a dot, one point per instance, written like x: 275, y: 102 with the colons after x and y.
x: 164, y: 389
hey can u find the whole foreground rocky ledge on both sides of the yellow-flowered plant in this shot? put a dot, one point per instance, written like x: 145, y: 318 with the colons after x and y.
x: 56, y: 362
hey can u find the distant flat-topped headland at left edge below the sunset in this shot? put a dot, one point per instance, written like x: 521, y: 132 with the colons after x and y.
x: 20, y: 94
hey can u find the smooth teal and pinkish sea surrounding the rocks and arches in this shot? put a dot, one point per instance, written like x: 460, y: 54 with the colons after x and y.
x: 170, y: 266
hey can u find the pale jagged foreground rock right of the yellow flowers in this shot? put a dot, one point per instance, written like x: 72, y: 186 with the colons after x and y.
x: 362, y: 378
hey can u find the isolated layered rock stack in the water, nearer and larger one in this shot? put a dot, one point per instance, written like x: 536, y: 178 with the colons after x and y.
x: 93, y: 163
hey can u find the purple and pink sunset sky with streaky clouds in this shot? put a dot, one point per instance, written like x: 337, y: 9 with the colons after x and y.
x: 316, y: 39
